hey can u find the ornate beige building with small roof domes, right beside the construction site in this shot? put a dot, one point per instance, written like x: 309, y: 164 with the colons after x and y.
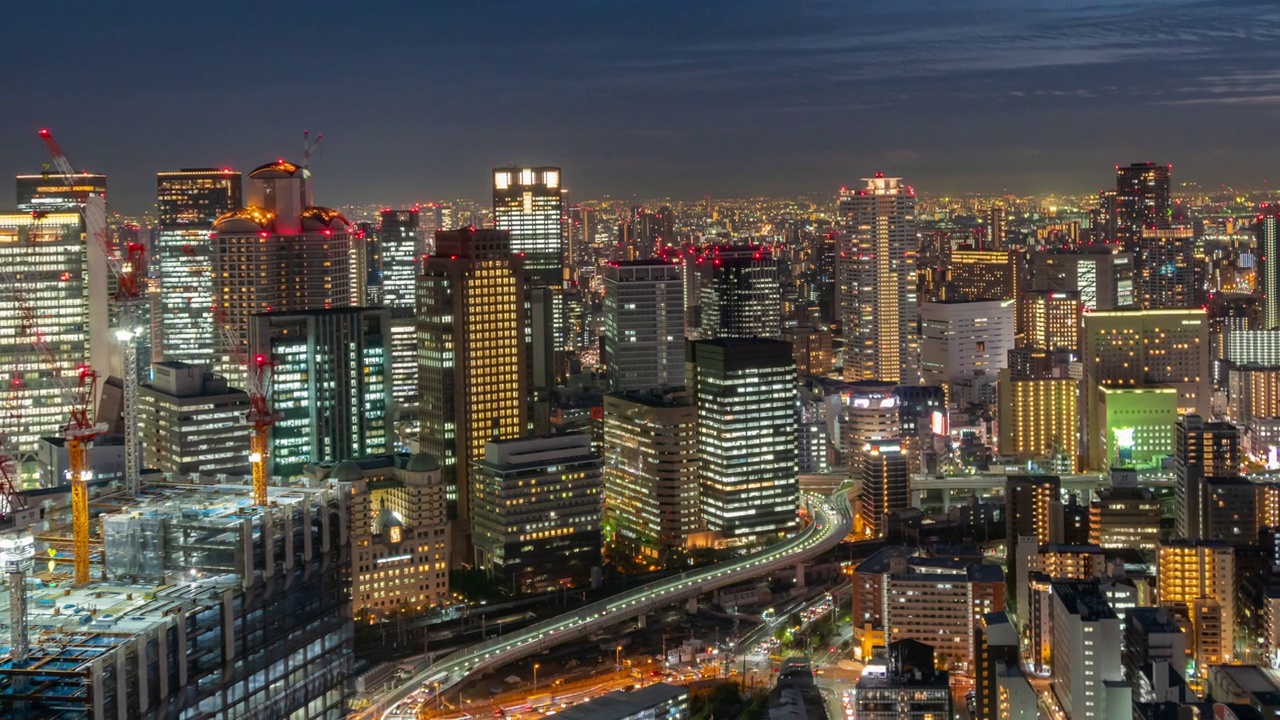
x: 400, y: 531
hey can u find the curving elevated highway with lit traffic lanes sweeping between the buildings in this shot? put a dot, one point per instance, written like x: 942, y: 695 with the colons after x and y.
x: 833, y: 522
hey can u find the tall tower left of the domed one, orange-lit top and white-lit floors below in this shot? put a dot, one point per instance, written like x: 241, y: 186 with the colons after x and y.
x: 188, y: 204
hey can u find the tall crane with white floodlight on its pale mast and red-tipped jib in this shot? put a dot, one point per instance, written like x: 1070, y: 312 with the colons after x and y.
x: 129, y: 266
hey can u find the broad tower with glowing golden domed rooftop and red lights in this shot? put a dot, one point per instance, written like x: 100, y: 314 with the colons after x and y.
x: 278, y: 254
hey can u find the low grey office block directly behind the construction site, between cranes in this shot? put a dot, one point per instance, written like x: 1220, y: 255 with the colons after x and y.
x: 191, y: 423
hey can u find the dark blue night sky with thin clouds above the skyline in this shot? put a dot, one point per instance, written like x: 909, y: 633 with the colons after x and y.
x: 418, y: 101
